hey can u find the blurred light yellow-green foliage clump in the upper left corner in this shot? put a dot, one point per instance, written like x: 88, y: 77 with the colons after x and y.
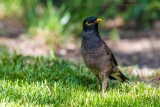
x: 34, y: 16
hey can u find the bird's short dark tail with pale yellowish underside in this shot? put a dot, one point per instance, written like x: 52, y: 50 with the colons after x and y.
x: 119, y: 76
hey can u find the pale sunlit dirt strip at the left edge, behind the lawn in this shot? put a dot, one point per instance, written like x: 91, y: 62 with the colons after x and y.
x: 25, y: 46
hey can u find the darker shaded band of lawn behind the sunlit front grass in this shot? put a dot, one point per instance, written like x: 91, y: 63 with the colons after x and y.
x: 33, y: 69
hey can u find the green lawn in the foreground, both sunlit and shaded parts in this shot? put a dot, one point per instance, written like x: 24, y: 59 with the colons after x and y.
x: 42, y: 81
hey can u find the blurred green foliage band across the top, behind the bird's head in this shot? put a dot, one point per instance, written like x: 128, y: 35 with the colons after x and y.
x: 65, y: 17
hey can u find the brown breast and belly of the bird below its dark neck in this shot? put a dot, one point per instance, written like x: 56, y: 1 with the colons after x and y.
x: 97, y: 59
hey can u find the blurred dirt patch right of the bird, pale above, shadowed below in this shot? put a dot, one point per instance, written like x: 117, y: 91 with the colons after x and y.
x: 143, y: 52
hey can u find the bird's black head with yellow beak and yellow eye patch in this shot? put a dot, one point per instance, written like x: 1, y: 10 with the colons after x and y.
x: 91, y: 23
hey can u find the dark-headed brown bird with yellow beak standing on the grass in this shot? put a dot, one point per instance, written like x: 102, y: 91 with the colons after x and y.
x: 97, y: 56
